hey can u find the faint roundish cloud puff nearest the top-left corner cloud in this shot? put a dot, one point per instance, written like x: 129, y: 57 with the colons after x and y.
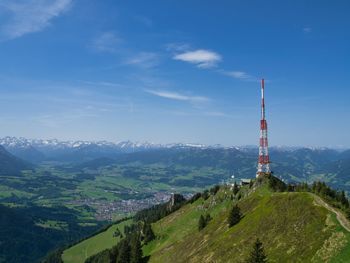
x: 106, y: 42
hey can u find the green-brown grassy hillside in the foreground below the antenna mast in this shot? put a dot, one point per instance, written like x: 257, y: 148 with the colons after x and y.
x: 292, y: 227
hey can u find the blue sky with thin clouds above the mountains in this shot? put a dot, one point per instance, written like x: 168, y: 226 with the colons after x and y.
x: 168, y: 71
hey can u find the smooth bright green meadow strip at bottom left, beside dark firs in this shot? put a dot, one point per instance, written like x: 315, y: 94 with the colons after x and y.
x: 81, y: 251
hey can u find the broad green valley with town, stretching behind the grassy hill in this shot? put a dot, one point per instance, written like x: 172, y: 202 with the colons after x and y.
x: 94, y: 193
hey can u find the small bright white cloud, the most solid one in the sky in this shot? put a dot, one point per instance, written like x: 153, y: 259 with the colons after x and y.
x: 202, y: 58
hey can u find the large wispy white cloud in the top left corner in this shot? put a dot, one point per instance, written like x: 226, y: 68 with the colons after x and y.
x: 30, y: 16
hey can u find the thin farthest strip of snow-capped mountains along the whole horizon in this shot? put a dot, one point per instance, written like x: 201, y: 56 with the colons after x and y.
x: 38, y: 150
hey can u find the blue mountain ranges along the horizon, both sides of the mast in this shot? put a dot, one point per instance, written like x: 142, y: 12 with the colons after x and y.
x: 289, y: 163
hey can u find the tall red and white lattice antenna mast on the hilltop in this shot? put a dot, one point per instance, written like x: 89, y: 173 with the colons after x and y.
x: 264, y: 160
